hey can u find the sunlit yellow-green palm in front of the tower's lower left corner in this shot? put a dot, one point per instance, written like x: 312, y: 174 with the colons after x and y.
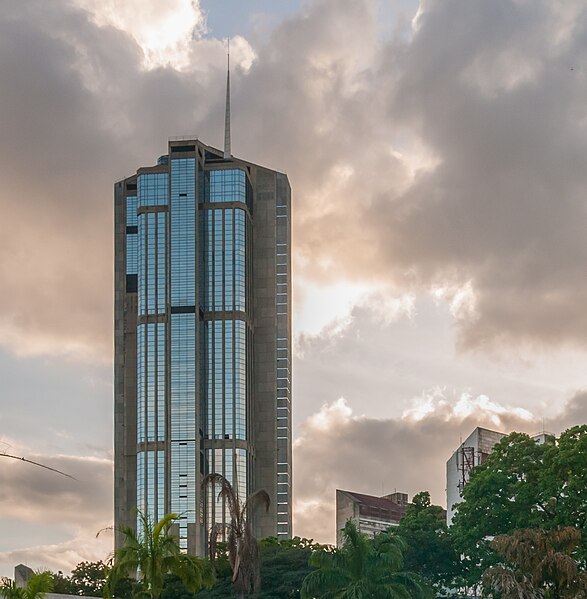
x: 153, y: 553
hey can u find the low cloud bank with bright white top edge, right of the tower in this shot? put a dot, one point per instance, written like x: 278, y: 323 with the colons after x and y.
x: 338, y: 449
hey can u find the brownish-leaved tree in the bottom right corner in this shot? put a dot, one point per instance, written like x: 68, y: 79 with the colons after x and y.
x: 537, y: 564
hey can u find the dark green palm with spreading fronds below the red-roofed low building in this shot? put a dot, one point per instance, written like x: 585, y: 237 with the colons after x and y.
x: 362, y: 568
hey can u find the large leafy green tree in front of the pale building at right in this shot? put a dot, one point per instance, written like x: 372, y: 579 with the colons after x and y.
x: 522, y: 485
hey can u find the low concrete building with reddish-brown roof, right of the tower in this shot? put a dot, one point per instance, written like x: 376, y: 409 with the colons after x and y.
x: 371, y: 514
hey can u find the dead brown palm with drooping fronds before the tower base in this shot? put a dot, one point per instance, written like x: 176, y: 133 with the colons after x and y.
x: 242, y: 547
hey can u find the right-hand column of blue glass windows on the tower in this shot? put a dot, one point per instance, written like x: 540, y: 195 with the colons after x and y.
x: 223, y: 297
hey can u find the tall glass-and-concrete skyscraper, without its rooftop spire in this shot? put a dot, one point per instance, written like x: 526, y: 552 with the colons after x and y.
x: 202, y: 340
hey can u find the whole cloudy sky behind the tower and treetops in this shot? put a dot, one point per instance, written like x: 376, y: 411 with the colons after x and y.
x: 436, y: 152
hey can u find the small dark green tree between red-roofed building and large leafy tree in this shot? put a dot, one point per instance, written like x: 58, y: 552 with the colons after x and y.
x: 430, y: 550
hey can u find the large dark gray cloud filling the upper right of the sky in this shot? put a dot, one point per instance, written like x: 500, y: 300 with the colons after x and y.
x: 498, y: 103
